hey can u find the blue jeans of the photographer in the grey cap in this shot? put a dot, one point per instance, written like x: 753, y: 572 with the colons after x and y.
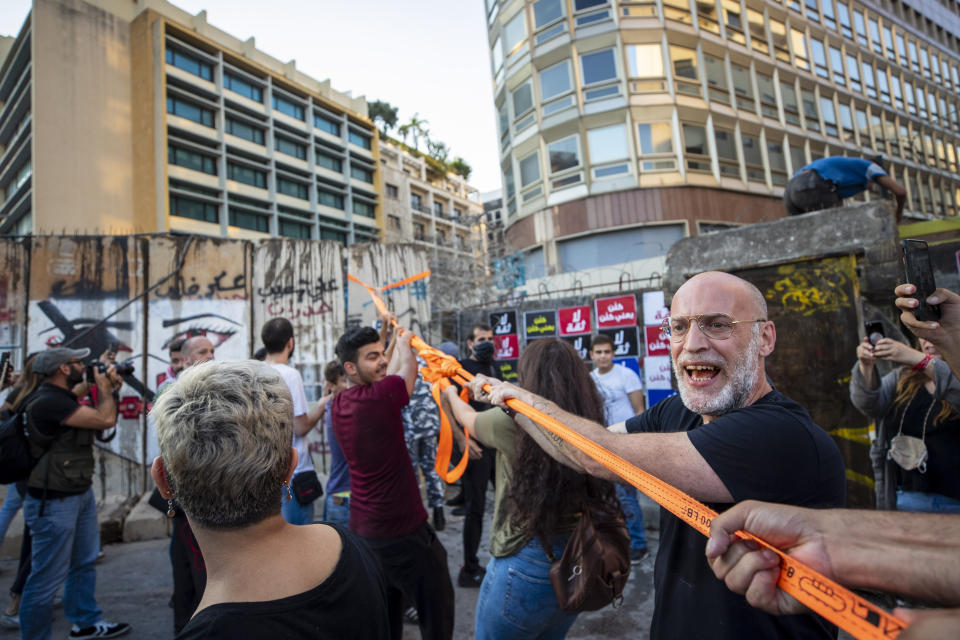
x: 66, y: 541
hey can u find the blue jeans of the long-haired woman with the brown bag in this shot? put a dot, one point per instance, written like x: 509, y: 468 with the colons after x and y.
x: 516, y: 598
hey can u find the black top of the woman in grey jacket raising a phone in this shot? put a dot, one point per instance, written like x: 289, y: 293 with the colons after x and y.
x: 943, y: 447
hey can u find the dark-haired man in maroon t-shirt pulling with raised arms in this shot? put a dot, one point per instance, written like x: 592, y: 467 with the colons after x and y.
x: 385, y: 505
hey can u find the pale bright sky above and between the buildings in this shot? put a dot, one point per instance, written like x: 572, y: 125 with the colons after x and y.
x: 428, y: 57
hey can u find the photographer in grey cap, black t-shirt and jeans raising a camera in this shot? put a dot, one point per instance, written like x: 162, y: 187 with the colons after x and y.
x: 60, y: 508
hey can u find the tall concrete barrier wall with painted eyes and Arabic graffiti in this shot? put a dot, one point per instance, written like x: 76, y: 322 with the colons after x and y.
x: 55, y: 290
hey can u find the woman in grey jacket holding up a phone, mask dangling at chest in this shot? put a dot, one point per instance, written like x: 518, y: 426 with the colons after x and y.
x: 917, y: 410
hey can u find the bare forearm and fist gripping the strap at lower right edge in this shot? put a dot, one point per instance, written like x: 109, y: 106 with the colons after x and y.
x: 915, y: 555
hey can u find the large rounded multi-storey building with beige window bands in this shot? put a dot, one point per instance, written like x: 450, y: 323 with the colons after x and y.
x: 628, y: 124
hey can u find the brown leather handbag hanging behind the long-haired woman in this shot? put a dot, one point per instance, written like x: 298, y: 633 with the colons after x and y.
x: 595, y: 564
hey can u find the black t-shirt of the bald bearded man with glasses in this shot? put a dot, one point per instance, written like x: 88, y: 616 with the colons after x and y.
x: 769, y: 451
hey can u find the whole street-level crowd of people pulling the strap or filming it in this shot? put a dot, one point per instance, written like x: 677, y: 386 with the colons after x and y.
x: 235, y: 471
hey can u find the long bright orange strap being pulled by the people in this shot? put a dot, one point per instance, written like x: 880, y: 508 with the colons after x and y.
x: 820, y: 594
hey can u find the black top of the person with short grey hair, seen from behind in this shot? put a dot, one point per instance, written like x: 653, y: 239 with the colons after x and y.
x: 350, y: 603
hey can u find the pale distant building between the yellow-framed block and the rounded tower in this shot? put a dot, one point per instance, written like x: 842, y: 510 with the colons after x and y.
x: 433, y: 208
